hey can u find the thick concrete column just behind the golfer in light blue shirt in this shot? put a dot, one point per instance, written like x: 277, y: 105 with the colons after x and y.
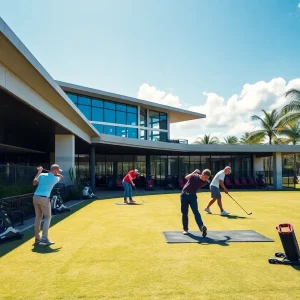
x: 65, y: 155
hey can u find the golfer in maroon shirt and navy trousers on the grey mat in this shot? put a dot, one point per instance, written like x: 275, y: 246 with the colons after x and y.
x: 188, y: 198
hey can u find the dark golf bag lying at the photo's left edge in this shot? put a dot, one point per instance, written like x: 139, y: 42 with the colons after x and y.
x: 7, y: 230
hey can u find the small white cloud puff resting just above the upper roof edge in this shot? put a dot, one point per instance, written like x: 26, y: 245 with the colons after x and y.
x: 151, y: 93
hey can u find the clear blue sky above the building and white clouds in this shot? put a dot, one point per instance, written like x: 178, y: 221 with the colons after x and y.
x: 179, y: 47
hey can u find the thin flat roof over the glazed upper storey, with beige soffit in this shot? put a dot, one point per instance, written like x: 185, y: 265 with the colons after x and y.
x: 175, y: 114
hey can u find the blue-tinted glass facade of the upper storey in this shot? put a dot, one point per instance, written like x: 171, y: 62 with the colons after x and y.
x: 100, y: 112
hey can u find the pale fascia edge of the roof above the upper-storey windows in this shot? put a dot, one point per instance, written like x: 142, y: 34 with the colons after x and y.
x: 131, y: 99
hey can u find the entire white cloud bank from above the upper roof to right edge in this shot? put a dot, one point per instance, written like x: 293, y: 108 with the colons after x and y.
x: 225, y: 117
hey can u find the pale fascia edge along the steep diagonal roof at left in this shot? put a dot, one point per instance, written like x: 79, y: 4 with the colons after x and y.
x: 12, y: 37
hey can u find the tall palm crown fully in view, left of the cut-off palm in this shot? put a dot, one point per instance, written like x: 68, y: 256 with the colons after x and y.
x: 269, y: 123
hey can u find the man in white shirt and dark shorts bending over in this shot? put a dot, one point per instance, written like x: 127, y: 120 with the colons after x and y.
x: 215, y: 190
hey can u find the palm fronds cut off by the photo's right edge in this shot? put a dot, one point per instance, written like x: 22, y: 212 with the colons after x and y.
x: 291, y: 112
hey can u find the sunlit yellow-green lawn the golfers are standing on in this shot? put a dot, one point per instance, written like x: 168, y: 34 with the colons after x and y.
x: 106, y: 251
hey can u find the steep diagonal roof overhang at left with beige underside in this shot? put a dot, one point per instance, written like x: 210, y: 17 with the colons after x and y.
x: 17, y: 58
